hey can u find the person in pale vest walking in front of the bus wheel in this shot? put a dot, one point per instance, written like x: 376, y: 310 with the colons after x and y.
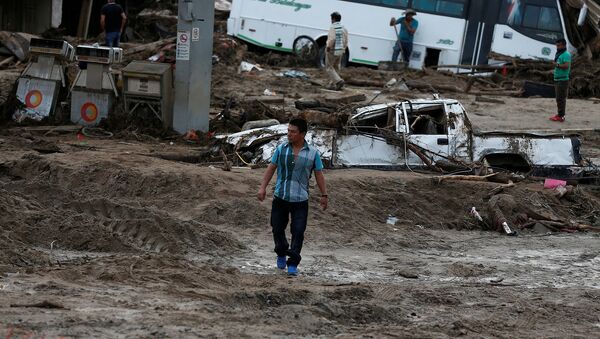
x: 337, y: 41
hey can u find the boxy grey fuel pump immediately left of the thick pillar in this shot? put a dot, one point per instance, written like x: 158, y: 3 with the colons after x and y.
x: 149, y: 84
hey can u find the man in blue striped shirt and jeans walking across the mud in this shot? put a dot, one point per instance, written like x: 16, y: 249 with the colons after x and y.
x: 294, y: 161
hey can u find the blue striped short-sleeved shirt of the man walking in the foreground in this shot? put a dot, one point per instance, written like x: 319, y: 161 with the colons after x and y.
x: 293, y: 174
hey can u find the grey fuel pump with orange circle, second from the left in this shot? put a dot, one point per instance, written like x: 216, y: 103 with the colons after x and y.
x: 94, y: 90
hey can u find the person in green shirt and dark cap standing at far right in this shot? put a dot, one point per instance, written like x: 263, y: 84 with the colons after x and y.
x: 562, y: 69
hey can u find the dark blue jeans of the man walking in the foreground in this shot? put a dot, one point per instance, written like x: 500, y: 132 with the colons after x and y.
x: 280, y: 216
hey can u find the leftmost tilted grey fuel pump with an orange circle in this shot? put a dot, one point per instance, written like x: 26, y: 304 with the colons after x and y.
x: 44, y: 79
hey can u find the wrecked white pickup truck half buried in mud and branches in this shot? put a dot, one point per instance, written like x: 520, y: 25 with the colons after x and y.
x: 422, y: 133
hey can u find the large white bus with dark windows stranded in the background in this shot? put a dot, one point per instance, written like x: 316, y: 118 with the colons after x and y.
x: 451, y: 32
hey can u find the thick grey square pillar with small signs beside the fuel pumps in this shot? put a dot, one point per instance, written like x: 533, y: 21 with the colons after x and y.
x: 193, y: 65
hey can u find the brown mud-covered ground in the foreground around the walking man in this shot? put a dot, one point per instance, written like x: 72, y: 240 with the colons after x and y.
x: 106, y: 239
